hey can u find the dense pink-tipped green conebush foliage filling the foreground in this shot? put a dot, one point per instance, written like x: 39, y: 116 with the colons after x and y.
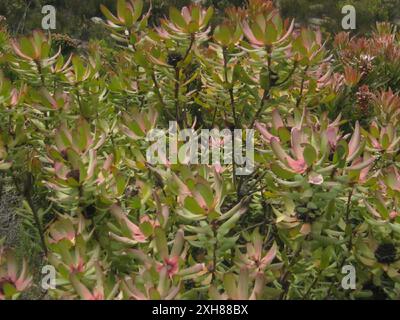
x: 324, y: 194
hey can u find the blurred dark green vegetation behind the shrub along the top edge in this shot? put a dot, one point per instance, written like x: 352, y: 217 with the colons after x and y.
x: 74, y: 16
